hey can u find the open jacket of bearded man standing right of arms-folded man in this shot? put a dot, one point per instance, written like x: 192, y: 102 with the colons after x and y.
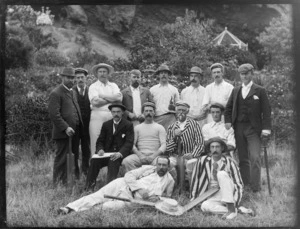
x: 128, y: 101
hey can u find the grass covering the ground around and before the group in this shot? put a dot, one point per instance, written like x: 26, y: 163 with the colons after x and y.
x: 33, y: 202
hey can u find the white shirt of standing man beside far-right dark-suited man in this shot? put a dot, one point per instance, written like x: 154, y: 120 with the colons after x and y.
x: 217, y: 93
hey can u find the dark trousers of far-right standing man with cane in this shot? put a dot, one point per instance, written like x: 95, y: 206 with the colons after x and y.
x: 249, y: 147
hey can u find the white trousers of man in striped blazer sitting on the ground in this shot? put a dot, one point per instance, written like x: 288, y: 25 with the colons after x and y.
x: 217, y: 203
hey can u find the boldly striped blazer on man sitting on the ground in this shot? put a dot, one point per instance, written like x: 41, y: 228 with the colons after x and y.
x: 202, y: 174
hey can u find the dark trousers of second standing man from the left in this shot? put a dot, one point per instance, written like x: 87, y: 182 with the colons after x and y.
x: 84, y: 138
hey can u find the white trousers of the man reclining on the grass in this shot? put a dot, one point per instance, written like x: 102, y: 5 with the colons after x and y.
x: 117, y: 187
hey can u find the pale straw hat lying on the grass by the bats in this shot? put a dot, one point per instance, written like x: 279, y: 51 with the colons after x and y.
x: 170, y: 207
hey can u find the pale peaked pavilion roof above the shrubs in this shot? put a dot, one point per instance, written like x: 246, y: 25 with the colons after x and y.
x: 227, y: 38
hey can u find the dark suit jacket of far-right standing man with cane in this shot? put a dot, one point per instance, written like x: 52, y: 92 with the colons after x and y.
x: 259, y: 112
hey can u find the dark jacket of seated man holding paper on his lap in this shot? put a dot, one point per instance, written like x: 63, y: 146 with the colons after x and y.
x: 121, y: 141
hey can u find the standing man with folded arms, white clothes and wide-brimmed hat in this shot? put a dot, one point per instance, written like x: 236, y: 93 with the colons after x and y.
x: 101, y: 94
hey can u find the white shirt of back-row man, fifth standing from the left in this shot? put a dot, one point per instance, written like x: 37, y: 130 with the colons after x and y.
x: 162, y: 94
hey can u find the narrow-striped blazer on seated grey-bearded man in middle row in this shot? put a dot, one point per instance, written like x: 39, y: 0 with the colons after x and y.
x: 191, y: 138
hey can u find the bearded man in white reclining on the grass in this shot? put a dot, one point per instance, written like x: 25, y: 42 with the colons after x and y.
x: 148, y: 183
